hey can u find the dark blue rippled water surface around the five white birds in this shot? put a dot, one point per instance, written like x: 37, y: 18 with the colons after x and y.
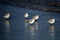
x: 14, y: 27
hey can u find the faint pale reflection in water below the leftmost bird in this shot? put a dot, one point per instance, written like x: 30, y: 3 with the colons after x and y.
x: 6, y: 29
